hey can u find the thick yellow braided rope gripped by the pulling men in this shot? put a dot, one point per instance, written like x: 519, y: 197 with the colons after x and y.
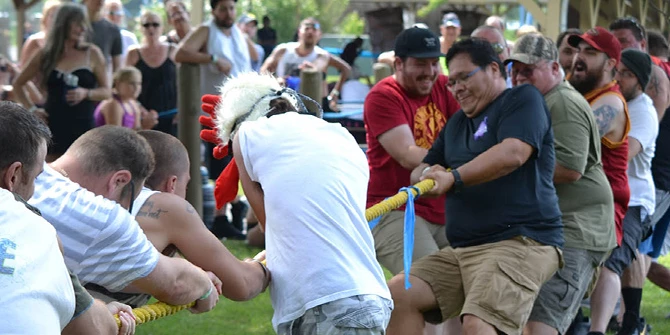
x: 159, y: 309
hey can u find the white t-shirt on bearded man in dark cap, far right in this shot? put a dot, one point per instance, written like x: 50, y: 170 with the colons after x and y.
x: 644, y: 128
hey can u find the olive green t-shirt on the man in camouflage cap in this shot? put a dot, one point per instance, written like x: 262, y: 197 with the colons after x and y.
x: 587, y: 204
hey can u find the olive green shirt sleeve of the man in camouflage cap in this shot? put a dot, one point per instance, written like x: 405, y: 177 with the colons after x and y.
x: 571, y: 135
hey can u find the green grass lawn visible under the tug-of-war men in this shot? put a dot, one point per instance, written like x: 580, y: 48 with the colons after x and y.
x: 254, y: 317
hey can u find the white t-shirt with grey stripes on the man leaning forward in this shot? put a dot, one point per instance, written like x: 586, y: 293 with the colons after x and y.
x: 102, y: 242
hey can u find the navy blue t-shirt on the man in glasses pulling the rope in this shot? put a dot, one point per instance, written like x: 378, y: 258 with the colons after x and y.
x: 523, y: 202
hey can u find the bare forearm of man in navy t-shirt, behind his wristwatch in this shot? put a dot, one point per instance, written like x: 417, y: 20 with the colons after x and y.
x: 494, y: 163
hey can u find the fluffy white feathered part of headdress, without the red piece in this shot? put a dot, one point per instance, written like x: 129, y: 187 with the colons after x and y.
x: 247, y: 97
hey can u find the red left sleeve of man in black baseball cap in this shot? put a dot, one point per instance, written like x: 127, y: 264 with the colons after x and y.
x: 382, y: 112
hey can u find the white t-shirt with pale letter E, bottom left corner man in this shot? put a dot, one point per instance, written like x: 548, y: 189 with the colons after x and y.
x: 36, y: 292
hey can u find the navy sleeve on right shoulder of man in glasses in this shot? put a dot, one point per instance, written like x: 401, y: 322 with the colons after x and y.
x: 524, y: 116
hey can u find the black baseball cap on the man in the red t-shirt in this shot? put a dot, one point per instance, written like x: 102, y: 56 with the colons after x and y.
x: 417, y: 43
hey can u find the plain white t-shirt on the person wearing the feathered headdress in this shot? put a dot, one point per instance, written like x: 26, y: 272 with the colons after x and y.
x: 314, y: 178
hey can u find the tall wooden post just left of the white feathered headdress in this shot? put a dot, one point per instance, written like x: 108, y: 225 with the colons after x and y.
x: 188, y: 102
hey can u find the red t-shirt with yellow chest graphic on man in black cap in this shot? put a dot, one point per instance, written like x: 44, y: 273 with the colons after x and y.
x: 388, y: 106
